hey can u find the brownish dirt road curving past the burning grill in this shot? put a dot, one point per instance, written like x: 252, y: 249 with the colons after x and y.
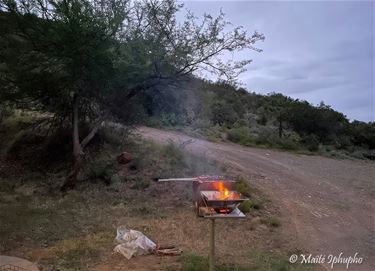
x: 327, y: 204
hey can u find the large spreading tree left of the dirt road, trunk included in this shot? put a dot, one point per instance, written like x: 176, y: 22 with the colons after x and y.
x: 83, y: 60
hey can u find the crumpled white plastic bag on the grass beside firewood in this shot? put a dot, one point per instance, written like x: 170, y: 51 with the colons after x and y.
x: 132, y: 243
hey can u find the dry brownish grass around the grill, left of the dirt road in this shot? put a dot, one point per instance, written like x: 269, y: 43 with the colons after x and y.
x: 76, y: 231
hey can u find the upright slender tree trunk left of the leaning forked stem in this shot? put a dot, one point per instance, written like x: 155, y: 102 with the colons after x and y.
x: 71, y: 179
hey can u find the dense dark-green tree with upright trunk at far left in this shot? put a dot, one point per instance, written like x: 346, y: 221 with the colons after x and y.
x: 60, y: 59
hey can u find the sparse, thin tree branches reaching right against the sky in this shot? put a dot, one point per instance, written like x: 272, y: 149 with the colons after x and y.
x: 181, y: 48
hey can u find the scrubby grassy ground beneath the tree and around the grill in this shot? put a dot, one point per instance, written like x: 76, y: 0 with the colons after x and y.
x: 75, y: 231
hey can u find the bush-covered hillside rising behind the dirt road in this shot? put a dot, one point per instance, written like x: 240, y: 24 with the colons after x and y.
x: 218, y: 111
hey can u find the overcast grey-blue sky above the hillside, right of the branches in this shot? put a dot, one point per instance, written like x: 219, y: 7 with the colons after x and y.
x: 316, y: 51
